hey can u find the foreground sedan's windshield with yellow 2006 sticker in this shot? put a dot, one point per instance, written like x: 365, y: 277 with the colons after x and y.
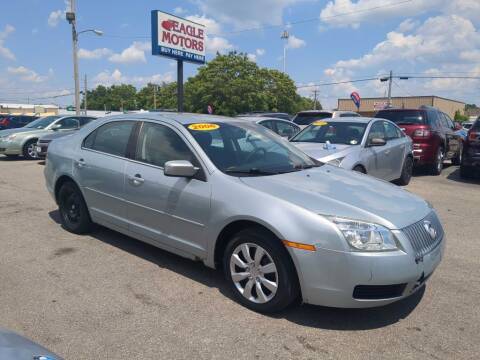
x: 247, y: 149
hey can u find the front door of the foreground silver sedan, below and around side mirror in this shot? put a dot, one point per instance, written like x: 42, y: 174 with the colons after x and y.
x: 169, y: 211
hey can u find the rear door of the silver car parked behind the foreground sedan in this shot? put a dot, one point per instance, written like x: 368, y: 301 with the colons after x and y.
x: 396, y: 150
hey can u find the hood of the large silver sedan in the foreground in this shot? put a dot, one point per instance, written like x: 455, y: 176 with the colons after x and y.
x: 330, y: 190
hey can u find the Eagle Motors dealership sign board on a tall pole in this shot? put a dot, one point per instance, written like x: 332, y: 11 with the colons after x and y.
x: 177, y: 38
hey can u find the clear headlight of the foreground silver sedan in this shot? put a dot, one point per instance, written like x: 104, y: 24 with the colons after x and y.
x: 365, y: 236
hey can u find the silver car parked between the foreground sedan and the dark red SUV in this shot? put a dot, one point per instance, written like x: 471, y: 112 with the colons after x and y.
x: 371, y: 146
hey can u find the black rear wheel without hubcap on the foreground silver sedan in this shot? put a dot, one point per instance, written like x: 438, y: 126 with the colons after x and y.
x: 73, y: 210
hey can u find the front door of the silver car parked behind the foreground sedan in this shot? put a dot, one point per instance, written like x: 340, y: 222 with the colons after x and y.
x: 377, y: 162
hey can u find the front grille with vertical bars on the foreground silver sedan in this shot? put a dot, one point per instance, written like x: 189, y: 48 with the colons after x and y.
x: 421, y: 240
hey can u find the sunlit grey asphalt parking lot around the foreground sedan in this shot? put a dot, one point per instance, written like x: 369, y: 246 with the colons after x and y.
x: 107, y: 296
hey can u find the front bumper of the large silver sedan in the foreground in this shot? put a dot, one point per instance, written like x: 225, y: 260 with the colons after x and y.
x: 336, y: 278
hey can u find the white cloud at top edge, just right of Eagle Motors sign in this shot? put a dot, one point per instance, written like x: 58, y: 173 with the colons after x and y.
x: 246, y: 13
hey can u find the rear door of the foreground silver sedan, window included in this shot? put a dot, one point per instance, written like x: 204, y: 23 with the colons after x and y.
x: 100, y: 169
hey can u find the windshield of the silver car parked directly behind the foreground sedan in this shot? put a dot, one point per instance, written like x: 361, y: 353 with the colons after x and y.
x: 348, y: 133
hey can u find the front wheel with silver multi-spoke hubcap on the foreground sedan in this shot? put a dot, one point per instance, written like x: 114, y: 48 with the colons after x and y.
x: 279, y: 287
